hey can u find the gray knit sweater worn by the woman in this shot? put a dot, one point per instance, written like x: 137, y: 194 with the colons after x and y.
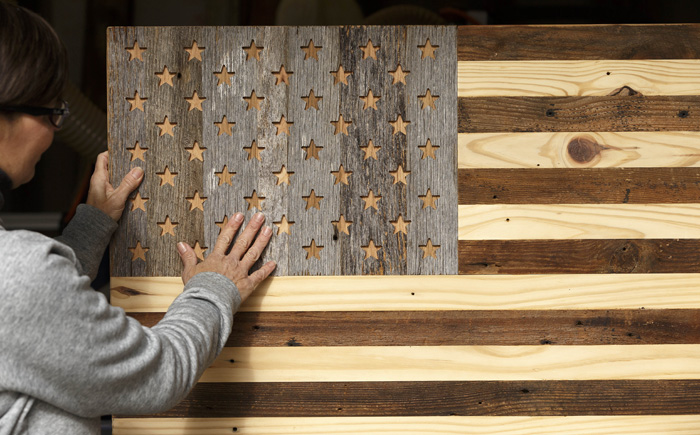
x: 67, y: 356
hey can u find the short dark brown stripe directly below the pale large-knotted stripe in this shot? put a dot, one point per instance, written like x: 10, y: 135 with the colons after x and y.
x: 579, y: 186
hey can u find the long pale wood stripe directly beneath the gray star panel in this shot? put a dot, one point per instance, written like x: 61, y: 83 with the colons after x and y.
x: 447, y: 292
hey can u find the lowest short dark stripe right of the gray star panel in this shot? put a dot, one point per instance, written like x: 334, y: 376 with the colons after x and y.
x: 579, y: 256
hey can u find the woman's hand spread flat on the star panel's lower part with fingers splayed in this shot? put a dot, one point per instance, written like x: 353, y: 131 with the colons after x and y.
x: 236, y: 264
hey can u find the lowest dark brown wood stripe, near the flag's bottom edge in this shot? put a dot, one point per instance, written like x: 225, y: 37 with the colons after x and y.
x: 345, y: 399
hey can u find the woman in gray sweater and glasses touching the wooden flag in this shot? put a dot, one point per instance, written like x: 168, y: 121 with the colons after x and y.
x: 67, y: 356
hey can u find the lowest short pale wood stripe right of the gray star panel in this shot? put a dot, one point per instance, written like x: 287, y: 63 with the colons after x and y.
x: 578, y: 221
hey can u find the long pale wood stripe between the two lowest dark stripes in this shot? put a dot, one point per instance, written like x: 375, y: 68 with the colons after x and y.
x: 454, y: 363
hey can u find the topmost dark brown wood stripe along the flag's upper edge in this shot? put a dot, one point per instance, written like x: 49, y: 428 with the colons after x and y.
x: 675, y: 41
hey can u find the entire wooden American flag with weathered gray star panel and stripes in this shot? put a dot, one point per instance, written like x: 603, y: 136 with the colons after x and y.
x: 568, y: 295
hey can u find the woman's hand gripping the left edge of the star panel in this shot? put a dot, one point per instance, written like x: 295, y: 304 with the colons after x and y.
x: 105, y: 197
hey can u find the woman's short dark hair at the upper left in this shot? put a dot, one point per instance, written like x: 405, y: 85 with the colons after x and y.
x: 33, y: 60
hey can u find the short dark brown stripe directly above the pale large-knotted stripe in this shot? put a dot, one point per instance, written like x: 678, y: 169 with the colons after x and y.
x: 606, y: 113
